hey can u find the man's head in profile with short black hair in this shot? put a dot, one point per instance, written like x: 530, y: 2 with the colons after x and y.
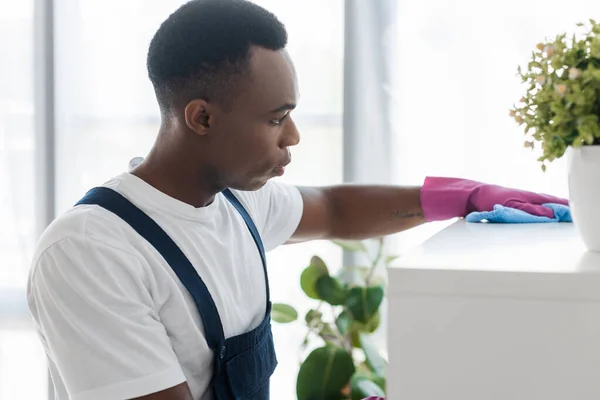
x: 225, y: 86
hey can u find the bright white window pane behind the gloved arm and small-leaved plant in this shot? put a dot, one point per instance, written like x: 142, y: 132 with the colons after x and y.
x: 457, y: 80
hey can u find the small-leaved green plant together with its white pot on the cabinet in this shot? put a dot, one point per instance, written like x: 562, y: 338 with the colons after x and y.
x: 561, y: 111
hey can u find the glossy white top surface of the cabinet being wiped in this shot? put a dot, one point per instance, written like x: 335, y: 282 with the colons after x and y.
x: 543, y: 248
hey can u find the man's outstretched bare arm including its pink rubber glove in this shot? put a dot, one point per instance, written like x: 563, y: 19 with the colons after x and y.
x: 359, y: 212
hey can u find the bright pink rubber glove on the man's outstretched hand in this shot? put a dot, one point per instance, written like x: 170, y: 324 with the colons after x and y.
x: 445, y: 198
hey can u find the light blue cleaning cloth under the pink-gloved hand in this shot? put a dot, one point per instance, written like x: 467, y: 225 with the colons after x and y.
x: 508, y: 215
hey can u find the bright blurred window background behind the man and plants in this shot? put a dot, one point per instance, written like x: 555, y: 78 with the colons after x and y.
x: 391, y: 91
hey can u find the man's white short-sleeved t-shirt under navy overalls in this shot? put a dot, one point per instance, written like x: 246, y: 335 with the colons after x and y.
x: 113, y: 317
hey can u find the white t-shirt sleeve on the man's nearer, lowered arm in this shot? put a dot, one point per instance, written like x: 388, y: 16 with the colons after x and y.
x: 98, y: 323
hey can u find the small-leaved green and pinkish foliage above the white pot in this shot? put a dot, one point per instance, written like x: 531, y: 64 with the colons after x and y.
x: 561, y: 106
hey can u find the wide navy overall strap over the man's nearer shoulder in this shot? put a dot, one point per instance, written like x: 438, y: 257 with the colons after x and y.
x: 157, y: 237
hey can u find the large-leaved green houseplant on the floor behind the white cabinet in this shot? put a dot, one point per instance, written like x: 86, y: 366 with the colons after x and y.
x: 345, y: 363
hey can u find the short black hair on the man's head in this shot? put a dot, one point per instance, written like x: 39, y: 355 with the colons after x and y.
x: 203, y: 48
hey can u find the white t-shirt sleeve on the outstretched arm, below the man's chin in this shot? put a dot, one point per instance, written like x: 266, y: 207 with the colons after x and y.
x: 277, y: 209
